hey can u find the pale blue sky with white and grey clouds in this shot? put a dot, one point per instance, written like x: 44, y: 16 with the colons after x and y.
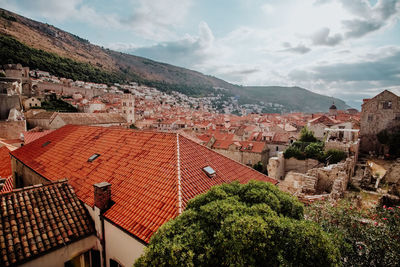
x: 348, y: 49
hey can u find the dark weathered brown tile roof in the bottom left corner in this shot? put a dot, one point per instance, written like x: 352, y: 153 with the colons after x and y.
x: 37, y: 219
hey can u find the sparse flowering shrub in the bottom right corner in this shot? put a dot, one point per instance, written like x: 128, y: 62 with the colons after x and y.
x: 365, y: 237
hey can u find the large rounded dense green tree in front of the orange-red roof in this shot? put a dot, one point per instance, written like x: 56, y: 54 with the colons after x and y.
x: 241, y: 225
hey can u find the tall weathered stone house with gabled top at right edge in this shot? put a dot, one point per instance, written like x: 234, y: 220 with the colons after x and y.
x: 378, y: 113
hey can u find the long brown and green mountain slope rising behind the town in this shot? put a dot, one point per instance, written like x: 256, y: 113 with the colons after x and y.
x: 43, y: 46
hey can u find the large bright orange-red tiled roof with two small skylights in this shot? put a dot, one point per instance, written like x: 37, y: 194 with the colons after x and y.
x: 142, y: 167
